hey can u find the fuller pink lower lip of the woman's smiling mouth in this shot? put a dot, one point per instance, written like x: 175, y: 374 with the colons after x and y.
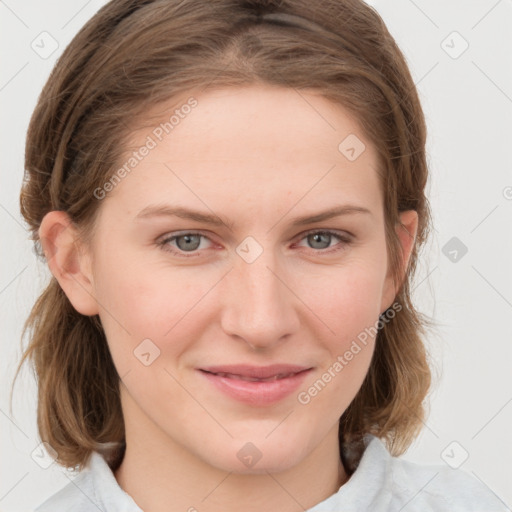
x: 257, y: 393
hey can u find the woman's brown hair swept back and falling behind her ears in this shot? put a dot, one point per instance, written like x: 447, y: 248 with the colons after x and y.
x: 134, y: 54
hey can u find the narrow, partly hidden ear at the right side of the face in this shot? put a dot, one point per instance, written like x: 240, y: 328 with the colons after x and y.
x: 406, y: 229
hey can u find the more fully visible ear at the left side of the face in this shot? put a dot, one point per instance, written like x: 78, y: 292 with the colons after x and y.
x: 68, y: 261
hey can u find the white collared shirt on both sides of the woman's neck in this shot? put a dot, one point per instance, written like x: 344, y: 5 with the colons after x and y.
x: 380, y: 483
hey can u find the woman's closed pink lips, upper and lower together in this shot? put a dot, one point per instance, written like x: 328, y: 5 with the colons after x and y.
x: 258, y: 393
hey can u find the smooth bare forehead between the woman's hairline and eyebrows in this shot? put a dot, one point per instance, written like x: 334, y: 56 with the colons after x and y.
x: 255, y: 144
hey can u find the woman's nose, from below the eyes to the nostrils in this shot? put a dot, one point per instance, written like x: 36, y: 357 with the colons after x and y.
x: 259, y: 305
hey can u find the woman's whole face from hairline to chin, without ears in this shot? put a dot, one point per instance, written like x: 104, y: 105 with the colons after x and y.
x: 252, y: 286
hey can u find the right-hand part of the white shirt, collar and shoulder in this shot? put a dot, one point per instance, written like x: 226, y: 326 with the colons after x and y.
x: 383, y: 483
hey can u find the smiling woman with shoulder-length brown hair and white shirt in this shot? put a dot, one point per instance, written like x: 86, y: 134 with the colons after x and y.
x: 231, y: 199
